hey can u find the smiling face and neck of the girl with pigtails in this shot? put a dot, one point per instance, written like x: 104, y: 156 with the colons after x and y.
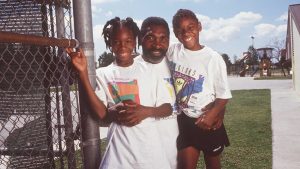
x: 123, y: 43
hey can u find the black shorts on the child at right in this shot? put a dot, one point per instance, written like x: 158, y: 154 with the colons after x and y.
x: 210, y: 142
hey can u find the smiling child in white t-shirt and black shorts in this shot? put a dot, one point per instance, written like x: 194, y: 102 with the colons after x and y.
x: 202, y: 91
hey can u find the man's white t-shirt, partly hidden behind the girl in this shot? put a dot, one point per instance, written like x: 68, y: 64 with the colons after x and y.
x: 168, y: 127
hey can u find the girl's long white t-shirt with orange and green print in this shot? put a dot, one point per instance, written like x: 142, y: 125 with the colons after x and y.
x: 138, y: 146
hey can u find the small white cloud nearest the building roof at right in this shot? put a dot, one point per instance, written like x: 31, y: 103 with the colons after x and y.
x: 269, y: 30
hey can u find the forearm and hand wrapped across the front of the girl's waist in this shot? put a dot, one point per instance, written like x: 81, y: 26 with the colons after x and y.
x: 135, y: 113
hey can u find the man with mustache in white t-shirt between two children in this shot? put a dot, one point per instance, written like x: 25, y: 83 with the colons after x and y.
x: 154, y: 38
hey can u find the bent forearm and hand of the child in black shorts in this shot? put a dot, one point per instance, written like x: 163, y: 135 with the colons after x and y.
x: 211, y: 118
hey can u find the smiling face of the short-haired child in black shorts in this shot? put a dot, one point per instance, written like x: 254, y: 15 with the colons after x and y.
x: 188, y: 33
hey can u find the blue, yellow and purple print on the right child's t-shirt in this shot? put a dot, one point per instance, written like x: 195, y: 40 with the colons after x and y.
x: 185, y: 86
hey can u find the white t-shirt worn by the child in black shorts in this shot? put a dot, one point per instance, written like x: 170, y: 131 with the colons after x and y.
x: 199, y: 78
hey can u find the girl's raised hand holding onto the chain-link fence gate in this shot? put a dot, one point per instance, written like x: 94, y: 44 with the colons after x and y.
x: 78, y: 59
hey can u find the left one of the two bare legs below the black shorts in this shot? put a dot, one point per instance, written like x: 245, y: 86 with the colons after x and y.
x: 188, y: 158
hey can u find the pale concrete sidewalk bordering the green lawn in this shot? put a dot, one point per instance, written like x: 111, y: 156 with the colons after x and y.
x: 285, y: 105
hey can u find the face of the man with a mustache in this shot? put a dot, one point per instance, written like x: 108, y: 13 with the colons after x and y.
x: 155, y: 43
